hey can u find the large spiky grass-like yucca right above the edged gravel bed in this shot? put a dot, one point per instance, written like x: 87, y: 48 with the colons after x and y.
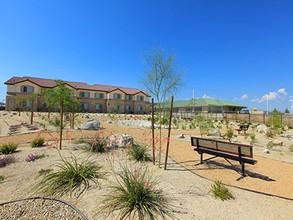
x: 71, y: 177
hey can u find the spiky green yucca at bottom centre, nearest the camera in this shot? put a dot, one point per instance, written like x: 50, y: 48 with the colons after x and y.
x: 134, y: 196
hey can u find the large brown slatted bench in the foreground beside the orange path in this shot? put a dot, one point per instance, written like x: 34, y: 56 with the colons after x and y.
x: 233, y: 151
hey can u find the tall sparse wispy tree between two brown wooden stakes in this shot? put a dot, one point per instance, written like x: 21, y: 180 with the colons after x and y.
x: 161, y: 79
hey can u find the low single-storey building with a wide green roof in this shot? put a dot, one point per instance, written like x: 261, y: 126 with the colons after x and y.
x: 203, y: 105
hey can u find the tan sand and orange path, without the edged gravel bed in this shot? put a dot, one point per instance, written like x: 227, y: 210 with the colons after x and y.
x: 266, y: 193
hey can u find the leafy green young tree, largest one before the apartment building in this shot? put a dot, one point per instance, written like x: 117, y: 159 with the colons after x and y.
x: 62, y: 97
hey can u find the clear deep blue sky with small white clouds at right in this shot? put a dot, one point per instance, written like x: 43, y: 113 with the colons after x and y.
x: 235, y: 50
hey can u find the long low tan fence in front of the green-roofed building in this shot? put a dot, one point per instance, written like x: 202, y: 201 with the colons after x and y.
x: 286, y: 119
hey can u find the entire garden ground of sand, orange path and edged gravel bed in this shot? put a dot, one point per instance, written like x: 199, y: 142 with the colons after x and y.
x: 265, y: 193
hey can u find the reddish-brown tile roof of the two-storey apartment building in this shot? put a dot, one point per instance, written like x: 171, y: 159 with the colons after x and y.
x: 49, y: 83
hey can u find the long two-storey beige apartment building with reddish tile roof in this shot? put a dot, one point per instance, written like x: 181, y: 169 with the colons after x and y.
x: 93, y: 98
